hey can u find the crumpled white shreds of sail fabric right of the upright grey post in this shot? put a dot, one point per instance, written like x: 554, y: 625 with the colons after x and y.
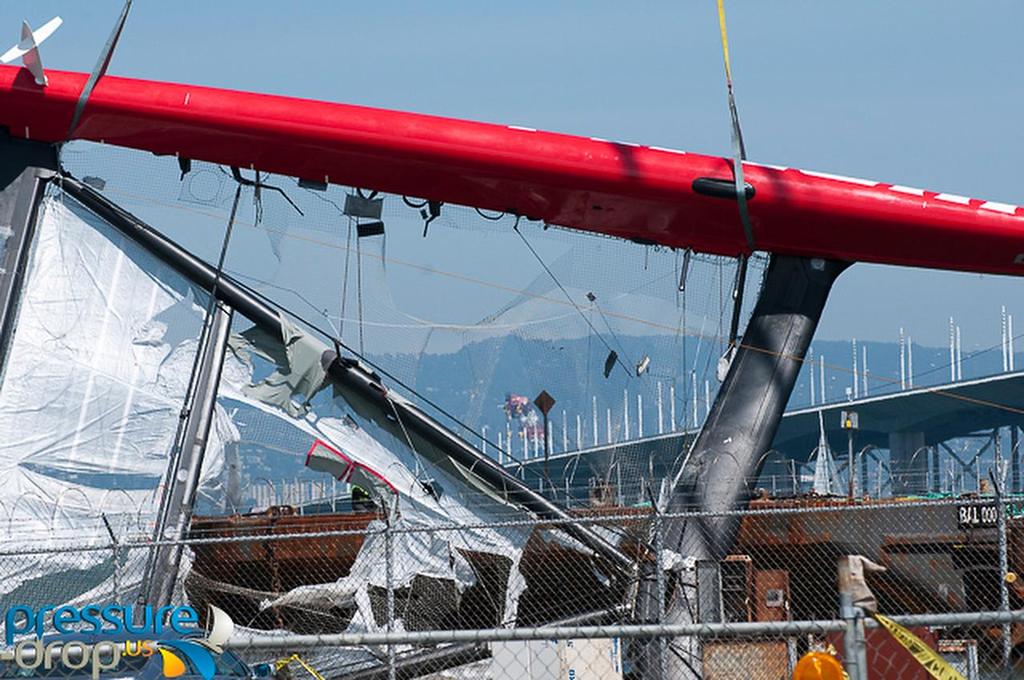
x: 420, y: 544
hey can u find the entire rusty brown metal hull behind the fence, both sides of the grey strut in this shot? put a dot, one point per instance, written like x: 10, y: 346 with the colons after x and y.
x: 933, y: 566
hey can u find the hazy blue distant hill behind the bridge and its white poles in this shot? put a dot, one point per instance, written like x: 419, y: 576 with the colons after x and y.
x: 473, y: 384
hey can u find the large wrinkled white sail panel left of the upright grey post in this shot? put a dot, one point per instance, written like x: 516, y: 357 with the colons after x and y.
x: 92, y: 391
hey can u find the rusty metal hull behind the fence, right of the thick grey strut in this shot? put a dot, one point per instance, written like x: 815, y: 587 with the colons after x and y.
x: 933, y: 565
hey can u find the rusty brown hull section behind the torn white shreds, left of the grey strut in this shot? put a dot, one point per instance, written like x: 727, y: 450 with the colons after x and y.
x: 238, y: 576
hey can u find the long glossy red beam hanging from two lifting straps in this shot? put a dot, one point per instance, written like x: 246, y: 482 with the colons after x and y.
x: 598, y: 186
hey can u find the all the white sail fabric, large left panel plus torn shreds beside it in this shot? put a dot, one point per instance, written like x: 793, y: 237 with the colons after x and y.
x: 92, y: 393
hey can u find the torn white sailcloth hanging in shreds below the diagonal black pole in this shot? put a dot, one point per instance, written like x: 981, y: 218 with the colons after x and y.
x: 439, y: 517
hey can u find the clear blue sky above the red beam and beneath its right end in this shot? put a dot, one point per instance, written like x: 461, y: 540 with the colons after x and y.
x: 921, y: 94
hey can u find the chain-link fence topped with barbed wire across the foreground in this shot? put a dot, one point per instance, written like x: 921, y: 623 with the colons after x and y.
x: 360, y: 594
